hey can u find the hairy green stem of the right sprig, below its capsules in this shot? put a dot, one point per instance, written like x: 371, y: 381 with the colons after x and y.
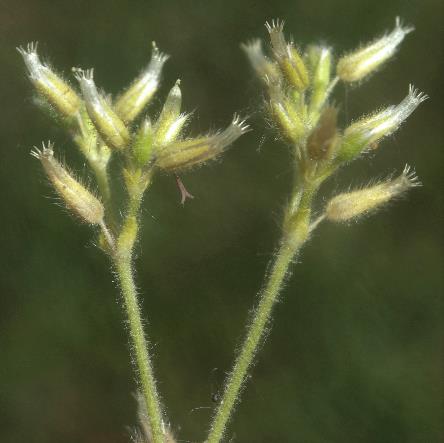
x: 289, y: 248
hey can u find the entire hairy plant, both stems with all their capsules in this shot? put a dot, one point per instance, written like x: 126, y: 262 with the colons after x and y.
x: 298, y: 86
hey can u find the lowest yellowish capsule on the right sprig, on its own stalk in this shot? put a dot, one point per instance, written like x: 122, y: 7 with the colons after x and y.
x: 350, y: 205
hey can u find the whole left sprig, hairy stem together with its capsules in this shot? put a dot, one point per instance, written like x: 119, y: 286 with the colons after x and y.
x: 103, y: 128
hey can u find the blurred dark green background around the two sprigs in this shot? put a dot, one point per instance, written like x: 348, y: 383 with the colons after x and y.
x: 355, y: 352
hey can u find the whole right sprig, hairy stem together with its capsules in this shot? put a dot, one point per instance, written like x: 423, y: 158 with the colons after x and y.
x: 298, y: 85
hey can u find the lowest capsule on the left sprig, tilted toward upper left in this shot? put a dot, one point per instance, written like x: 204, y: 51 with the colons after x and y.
x: 76, y: 197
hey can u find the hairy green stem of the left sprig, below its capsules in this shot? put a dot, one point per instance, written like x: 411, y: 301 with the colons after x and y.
x: 123, y: 260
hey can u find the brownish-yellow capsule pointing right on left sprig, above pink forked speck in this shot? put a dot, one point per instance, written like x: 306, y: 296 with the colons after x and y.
x: 192, y: 152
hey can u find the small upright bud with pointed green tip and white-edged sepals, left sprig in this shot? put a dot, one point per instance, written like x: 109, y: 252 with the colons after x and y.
x: 170, y: 122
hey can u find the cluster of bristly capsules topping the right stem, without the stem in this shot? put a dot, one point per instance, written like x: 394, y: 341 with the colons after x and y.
x: 298, y: 86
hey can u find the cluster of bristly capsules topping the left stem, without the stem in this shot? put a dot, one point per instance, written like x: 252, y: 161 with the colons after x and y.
x: 101, y: 126
